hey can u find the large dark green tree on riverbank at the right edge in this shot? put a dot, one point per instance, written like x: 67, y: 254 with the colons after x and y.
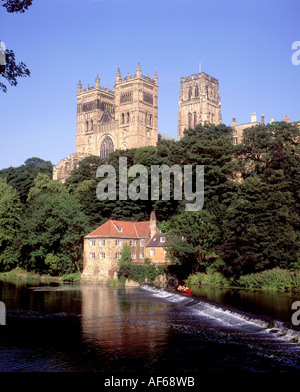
x: 261, y: 227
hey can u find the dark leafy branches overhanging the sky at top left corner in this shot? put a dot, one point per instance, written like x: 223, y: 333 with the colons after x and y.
x: 11, y: 70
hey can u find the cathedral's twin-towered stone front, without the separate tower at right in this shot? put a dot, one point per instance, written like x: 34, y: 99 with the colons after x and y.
x: 109, y: 120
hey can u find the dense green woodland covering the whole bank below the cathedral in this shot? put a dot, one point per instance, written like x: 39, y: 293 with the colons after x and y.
x: 249, y: 223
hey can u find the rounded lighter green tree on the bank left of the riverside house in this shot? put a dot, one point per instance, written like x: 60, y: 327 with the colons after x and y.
x: 53, y: 229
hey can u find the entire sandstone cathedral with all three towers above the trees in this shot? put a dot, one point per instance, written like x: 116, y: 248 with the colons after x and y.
x: 127, y: 116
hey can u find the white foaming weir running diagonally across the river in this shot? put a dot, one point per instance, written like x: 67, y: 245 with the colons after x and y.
x: 229, y: 317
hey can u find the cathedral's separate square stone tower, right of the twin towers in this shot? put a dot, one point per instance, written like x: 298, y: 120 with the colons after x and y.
x: 199, y: 102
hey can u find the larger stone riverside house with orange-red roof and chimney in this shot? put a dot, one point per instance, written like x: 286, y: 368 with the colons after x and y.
x: 102, y: 247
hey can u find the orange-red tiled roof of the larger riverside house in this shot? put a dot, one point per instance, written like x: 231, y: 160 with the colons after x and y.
x: 122, y: 228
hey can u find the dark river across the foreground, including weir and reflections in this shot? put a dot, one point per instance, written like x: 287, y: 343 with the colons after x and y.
x: 93, y: 328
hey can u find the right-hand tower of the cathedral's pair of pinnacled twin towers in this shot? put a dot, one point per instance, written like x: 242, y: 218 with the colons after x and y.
x: 136, y: 109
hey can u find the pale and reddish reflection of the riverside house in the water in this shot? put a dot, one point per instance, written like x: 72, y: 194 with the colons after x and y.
x: 116, y: 321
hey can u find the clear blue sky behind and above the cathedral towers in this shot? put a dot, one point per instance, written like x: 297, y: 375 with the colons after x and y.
x: 245, y: 44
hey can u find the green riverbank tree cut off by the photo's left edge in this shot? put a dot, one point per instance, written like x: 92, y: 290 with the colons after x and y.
x: 10, y: 222
